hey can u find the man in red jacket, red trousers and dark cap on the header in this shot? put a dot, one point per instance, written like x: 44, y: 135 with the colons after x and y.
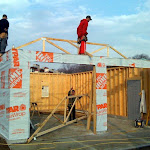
x: 82, y: 34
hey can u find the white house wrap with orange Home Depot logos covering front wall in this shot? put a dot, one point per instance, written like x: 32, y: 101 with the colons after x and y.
x: 15, y: 81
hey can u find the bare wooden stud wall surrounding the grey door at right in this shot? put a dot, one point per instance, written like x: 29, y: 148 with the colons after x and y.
x: 117, y: 78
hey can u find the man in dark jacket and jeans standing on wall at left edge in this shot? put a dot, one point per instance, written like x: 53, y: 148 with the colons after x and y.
x: 4, y: 25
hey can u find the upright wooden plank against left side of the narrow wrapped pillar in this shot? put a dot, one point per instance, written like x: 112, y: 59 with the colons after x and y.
x: 94, y: 99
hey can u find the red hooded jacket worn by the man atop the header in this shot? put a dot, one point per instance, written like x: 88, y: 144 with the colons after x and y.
x: 82, y: 28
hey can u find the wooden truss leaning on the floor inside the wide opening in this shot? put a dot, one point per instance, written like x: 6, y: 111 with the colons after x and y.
x: 64, y: 122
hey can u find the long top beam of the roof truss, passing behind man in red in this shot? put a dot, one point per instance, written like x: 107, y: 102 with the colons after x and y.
x: 73, y: 41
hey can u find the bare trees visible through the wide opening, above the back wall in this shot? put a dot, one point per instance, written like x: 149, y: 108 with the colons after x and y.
x: 69, y: 68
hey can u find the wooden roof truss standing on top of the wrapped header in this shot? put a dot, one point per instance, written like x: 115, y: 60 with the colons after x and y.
x: 72, y: 42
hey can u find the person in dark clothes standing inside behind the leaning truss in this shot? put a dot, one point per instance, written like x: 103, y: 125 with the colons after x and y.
x: 71, y: 101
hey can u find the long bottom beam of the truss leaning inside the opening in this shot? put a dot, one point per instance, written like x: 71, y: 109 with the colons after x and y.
x: 60, y: 126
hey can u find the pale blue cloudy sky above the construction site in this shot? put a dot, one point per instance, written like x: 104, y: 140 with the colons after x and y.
x: 123, y: 24
